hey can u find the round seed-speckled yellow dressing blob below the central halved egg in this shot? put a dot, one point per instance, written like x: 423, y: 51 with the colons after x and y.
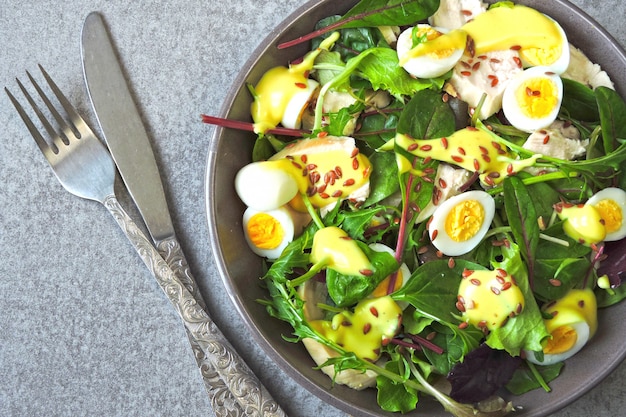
x: 488, y: 298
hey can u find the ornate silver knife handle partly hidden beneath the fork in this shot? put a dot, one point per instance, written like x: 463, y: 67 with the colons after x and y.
x: 220, y: 396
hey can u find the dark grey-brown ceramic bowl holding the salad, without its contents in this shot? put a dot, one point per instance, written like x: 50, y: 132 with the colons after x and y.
x: 240, y: 268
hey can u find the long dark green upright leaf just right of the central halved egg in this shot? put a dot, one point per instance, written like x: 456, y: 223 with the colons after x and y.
x: 522, y: 218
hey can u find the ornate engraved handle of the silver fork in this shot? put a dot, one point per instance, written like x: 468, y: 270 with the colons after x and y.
x: 248, y: 391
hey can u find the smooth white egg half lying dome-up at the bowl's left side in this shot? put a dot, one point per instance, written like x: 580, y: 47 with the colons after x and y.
x: 264, y: 187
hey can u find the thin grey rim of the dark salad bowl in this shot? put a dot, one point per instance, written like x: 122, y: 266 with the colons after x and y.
x: 554, y: 404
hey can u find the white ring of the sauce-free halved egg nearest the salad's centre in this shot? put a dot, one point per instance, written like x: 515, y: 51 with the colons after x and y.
x: 442, y: 240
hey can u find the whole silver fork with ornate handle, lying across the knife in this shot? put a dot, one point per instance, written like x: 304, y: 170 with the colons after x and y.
x: 85, y: 168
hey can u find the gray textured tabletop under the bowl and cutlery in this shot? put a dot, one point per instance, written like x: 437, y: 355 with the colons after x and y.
x: 83, y: 328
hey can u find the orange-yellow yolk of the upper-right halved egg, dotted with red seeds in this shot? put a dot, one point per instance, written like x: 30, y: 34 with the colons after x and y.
x: 537, y: 97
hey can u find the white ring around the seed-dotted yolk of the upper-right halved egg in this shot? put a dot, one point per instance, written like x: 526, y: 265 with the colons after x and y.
x: 511, y: 106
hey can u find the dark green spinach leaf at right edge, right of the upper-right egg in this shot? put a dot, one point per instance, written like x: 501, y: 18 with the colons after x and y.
x: 612, y: 118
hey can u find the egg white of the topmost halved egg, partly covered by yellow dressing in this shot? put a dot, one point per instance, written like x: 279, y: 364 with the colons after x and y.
x: 425, y: 66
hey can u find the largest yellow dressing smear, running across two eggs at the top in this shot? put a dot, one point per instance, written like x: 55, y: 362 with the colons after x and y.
x: 536, y: 36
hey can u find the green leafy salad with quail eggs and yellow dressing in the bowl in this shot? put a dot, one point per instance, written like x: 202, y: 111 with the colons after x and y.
x: 438, y: 190
